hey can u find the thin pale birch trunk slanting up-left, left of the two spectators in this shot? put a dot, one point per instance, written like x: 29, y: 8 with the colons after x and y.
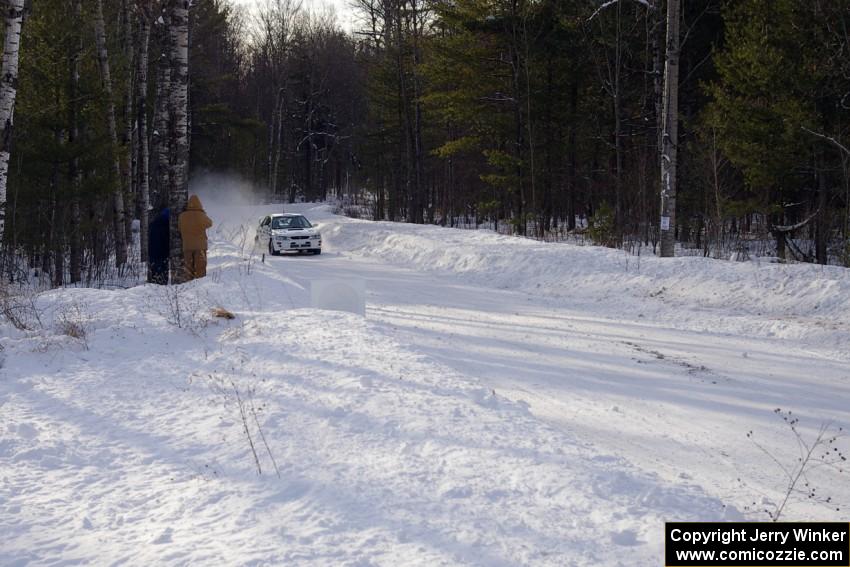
x: 117, y: 190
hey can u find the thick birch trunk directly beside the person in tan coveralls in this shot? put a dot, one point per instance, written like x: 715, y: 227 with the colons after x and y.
x: 179, y: 97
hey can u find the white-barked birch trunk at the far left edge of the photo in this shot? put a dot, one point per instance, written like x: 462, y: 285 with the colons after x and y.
x: 8, y: 91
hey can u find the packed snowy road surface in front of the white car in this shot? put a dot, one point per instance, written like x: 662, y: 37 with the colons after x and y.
x: 672, y: 401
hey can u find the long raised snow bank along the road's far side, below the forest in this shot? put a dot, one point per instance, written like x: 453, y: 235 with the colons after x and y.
x: 798, y: 301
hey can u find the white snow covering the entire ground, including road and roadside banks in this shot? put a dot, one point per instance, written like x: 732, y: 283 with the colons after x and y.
x: 503, y: 402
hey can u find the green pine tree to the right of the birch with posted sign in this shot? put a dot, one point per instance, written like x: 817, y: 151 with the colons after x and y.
x: 761, y: 101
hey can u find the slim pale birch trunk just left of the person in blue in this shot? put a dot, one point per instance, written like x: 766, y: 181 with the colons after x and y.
x: 142, y: 132
